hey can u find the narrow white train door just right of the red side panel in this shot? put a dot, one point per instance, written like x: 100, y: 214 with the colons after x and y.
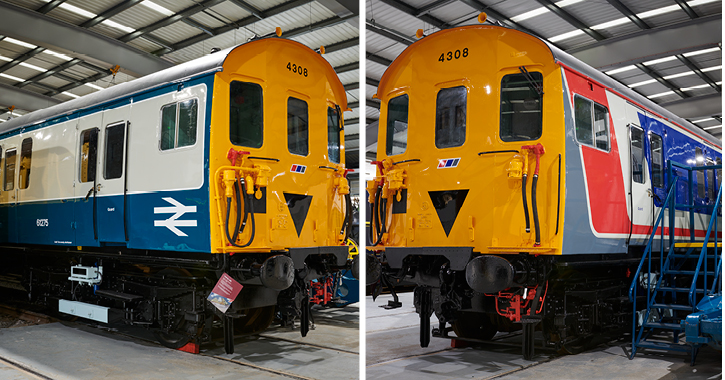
x: 640, y: 183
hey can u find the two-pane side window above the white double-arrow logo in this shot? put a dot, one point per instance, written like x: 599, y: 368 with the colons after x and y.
x: 178, y: 124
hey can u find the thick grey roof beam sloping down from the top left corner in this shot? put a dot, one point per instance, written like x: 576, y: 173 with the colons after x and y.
x: 42, y: 30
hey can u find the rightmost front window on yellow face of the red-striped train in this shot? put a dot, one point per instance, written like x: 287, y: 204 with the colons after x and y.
x: 520, y: 108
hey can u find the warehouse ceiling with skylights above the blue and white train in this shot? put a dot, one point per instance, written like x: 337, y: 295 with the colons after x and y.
x: 52, y: 51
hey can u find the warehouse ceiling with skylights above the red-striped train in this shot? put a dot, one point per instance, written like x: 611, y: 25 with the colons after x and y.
x: 667, y: 50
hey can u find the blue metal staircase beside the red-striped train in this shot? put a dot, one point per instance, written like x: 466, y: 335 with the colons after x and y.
x: 684, y: 276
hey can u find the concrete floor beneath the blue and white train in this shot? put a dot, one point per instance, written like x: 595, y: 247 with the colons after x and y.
x: 79, y: 351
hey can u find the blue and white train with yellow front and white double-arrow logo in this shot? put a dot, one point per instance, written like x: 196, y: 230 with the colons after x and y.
x: 131, y: 203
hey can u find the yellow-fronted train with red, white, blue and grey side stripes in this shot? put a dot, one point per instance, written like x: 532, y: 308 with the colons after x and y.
x: 517, y: 187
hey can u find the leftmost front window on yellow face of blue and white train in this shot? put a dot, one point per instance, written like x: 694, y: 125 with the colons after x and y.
x: 245, y: 114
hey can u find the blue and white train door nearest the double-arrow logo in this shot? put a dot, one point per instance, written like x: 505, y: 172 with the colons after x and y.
x: 111, y: 183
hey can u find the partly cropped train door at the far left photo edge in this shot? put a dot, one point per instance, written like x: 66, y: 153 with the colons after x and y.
x: 8, y: 215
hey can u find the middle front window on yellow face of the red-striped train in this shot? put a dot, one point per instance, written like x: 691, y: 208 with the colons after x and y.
x: 451, y: 117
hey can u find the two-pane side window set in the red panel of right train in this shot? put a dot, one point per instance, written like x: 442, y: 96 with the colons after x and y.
x: 592, y: 123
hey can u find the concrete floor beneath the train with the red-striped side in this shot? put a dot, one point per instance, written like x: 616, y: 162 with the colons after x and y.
x: 393, y: 352
